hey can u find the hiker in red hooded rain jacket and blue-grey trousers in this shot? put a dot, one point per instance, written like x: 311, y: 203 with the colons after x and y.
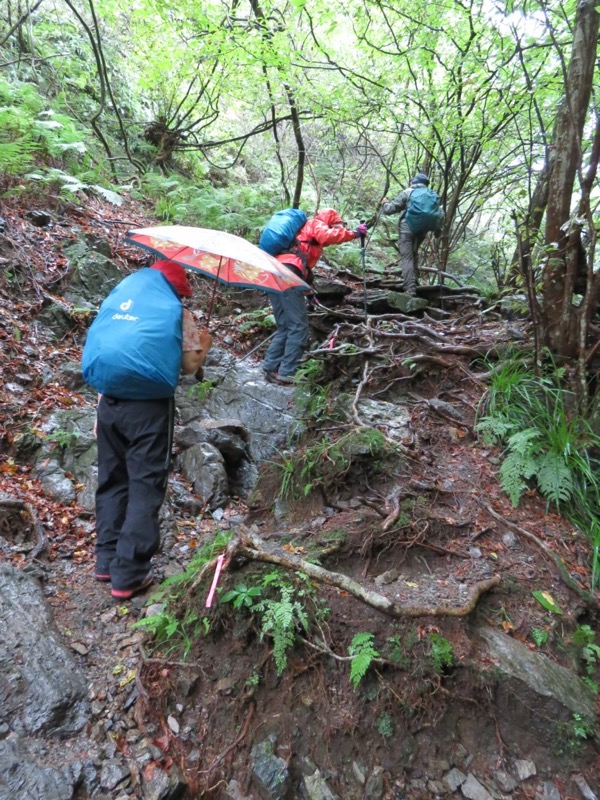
x: 290, y: 340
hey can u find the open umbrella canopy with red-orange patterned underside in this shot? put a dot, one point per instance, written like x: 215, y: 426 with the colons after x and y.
x: 227, y: 258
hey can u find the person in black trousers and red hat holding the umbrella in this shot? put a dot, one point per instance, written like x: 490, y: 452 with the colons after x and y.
x: 134, y: 450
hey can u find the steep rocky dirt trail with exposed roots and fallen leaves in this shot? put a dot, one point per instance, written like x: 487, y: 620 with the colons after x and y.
x: 468, y: 686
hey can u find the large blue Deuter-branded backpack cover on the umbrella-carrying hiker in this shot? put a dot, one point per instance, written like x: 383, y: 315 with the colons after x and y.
x: 133, y: 349
